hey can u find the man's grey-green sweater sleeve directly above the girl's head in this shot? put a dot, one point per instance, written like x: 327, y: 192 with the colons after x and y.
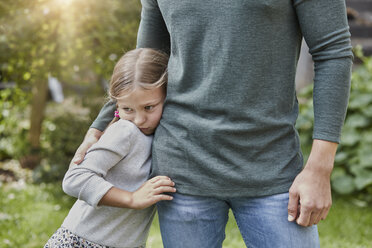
x: 152, y: 32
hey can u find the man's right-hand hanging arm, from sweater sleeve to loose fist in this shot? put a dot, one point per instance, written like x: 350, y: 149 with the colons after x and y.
x: 324, y: 26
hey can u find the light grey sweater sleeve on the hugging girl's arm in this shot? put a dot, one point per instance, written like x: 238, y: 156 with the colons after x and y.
x: 87, y: 180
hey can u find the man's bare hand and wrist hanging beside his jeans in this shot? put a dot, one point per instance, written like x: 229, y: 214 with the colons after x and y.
x: 310, y: 194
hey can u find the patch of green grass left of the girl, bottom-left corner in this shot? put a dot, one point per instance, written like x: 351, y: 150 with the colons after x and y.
x: 29, y: 214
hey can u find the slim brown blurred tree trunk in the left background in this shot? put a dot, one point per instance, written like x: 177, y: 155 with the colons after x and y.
x: 38, y: 104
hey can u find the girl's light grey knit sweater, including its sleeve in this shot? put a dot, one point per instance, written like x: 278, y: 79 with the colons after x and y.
x: 121, y: 158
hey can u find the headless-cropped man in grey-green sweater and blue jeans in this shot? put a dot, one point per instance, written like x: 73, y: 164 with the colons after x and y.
x: 227, y: 136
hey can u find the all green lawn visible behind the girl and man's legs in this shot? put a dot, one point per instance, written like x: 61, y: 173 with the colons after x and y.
x: 29, y: 215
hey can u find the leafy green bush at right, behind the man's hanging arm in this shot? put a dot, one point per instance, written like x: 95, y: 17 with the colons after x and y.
x: 353, y: 162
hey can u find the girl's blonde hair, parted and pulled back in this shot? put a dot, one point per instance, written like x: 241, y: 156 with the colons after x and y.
x: 143, y: 67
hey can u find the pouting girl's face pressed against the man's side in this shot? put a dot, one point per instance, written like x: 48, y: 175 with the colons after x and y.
x: 142, y: 107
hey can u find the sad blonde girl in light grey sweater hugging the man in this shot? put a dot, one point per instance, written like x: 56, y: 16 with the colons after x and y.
x: 115, y: 199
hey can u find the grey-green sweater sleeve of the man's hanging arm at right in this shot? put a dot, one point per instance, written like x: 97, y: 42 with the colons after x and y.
x: 324, y: 26
